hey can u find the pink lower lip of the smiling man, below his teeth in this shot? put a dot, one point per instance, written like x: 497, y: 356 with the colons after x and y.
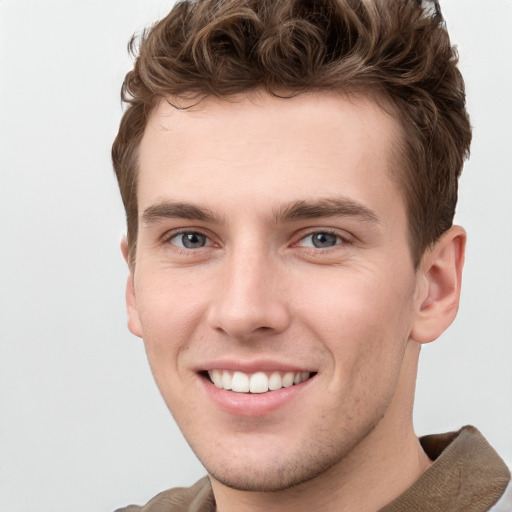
x: 253, y: 404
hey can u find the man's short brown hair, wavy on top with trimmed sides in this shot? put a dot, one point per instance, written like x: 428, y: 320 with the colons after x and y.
x: 395, y: 50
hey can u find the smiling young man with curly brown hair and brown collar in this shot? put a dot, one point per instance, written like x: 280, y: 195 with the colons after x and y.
x: 289, y: 173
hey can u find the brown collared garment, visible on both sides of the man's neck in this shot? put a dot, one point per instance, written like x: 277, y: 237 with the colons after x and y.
x: 467, y: 475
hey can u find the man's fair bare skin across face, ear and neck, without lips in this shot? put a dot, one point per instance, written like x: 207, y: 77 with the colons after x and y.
x: 353, y: 311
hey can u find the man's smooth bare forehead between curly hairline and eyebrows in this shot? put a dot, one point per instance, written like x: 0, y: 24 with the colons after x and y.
x: 309, y: 146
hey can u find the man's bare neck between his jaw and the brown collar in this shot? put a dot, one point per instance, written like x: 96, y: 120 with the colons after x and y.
x: 377, y: 470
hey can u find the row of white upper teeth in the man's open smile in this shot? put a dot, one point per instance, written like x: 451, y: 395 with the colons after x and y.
x: 259, y: 382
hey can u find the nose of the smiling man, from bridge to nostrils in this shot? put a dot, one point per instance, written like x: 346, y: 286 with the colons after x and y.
x: 251, y: 298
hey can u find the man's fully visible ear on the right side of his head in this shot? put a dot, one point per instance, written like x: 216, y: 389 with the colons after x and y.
x: 439, y: 282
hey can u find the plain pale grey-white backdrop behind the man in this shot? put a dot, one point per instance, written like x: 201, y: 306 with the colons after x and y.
x: 82, y: 426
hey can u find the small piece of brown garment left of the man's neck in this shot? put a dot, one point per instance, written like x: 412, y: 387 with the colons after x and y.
x: 197, y: 498
